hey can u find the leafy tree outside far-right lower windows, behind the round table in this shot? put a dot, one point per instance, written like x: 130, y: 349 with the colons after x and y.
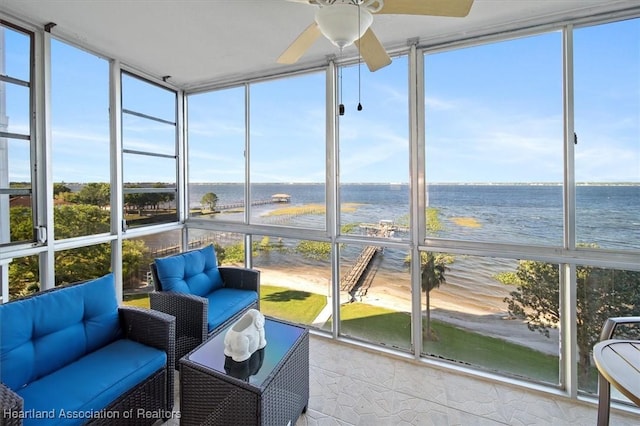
x: 601, y: 294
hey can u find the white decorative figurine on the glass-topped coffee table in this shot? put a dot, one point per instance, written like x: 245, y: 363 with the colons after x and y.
x: 245, y: 336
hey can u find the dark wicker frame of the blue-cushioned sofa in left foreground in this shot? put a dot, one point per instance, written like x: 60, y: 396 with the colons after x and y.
x: 154, y: 395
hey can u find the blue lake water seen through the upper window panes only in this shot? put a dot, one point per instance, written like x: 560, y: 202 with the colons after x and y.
x: 606, y: 215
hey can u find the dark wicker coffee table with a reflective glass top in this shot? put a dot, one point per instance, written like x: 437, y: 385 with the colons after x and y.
x: 270, y: 388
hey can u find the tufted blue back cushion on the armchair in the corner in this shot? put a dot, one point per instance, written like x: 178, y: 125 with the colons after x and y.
x: 193, y: 272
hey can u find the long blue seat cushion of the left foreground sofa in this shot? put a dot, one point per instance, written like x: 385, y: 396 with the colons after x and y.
x: 91, y: 383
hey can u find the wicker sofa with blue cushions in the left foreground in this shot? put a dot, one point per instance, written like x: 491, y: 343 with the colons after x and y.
x: 70, y: 356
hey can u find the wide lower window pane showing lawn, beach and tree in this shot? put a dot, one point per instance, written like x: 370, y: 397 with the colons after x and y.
x: 481, y: 318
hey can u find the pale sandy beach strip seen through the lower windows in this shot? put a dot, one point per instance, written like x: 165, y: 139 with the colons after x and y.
x: 477, y: 310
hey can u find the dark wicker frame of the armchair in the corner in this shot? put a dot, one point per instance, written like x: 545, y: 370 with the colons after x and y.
x: 191, y: 311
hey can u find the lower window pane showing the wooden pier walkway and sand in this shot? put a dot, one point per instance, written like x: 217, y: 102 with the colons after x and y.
x: 375, y: 295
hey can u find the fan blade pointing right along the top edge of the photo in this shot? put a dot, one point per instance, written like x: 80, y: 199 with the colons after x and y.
x: 454, y: 8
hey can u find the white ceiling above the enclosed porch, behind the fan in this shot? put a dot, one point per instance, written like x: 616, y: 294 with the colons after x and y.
x: 199, y: 42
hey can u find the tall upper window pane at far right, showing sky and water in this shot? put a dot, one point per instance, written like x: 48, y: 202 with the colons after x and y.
x: 607, y: 123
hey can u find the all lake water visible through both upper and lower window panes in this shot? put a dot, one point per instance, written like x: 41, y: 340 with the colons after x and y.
x: 606, y: 215
